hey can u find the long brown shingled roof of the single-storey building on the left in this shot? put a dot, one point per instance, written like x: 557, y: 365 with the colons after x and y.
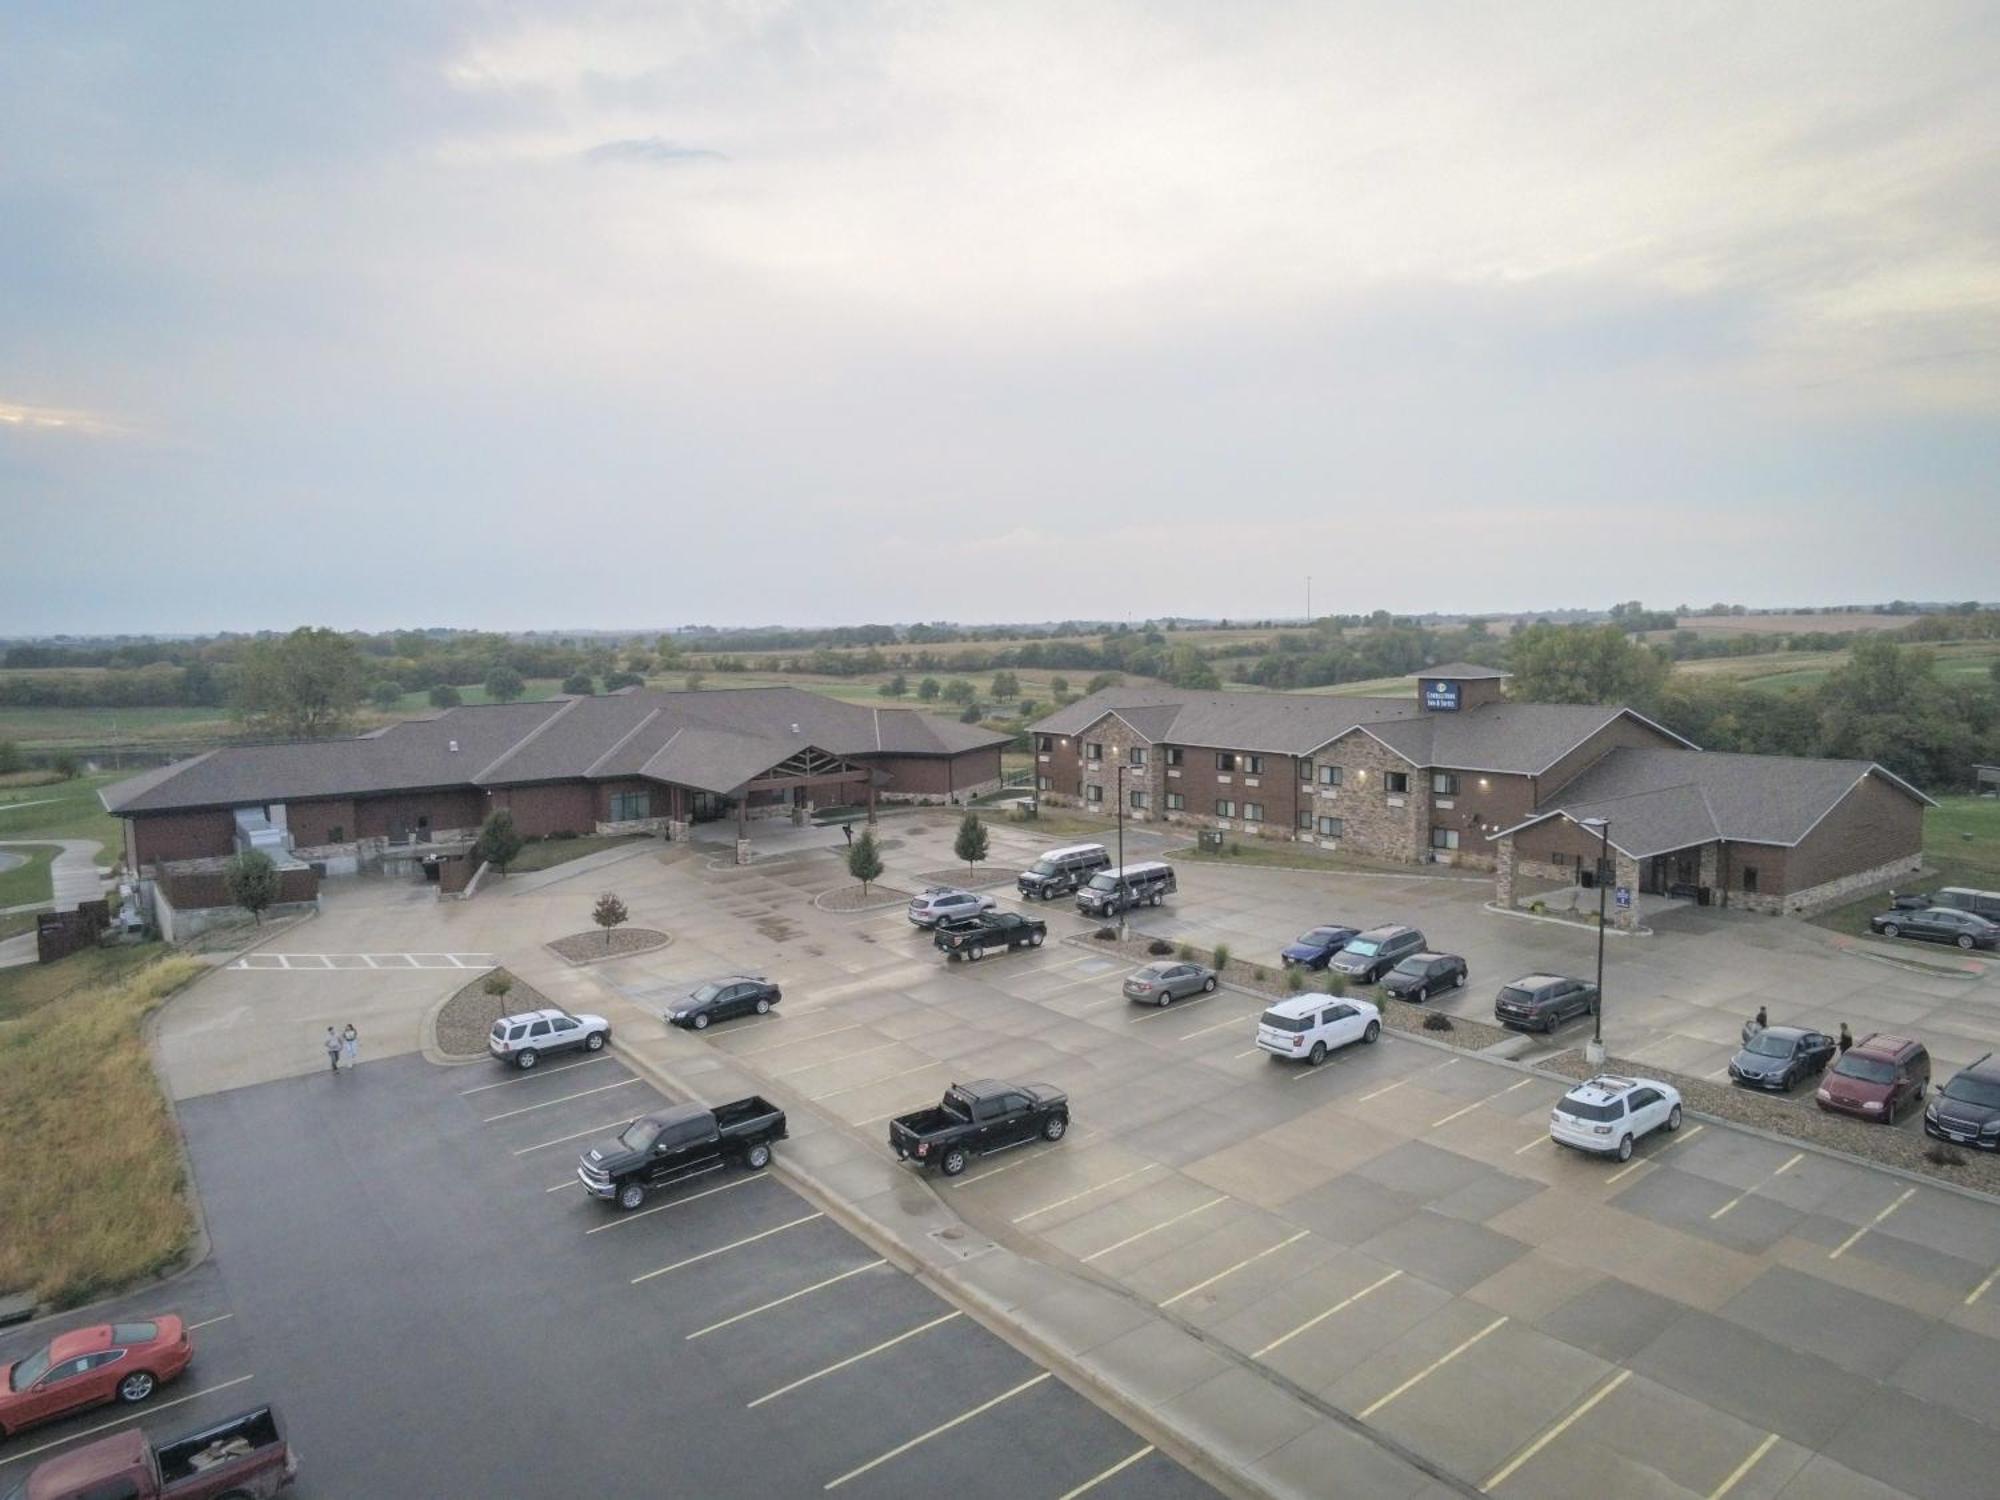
x: 709, y: 741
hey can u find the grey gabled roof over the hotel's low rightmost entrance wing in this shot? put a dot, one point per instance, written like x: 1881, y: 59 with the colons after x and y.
x: 1663, y: 801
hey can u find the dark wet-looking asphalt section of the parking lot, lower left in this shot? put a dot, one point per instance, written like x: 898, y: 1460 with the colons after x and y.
x: 407, y: 1267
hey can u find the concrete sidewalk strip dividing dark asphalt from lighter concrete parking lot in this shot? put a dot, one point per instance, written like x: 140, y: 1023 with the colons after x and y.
x: 1229, y: 1419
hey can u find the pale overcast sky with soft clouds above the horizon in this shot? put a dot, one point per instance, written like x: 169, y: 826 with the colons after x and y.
x: 831, y: 313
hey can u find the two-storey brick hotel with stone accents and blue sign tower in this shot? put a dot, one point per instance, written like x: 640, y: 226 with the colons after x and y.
x: 1461, y: 773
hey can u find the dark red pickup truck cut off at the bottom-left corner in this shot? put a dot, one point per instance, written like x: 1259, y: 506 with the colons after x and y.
x: 241, y: 1459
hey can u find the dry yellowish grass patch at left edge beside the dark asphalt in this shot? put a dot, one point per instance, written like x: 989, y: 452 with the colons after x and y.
x: 95, y: 1203
